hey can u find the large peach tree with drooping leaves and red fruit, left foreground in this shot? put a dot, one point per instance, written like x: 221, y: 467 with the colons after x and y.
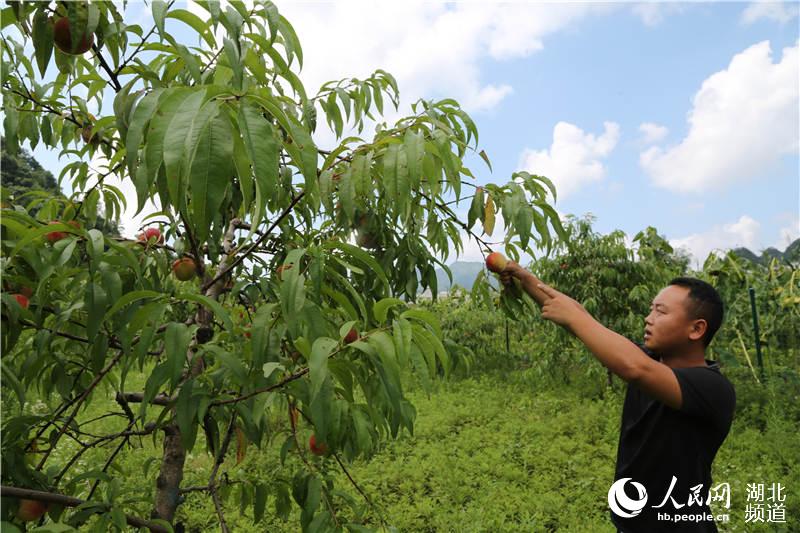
x: 274, y: 280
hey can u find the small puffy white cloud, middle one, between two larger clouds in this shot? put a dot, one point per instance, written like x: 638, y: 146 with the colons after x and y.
x: 575, y: 157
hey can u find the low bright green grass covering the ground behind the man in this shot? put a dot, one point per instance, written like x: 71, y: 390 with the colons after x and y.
x: 492, y: 452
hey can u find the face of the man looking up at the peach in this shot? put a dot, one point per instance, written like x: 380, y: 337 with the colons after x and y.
x: 669, y: 327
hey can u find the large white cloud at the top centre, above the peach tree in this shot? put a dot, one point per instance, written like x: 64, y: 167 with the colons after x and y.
x: 433, y: 49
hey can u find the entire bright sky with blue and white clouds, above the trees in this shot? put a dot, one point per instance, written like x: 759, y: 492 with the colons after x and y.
x: 572, y: 91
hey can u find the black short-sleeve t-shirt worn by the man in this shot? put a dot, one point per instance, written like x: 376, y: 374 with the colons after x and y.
x: 658, y: 443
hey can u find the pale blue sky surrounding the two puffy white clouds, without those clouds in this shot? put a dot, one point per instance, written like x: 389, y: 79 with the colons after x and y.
x: 616, y: 68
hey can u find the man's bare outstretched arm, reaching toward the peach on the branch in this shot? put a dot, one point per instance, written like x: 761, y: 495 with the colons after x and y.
x: 614, y: 351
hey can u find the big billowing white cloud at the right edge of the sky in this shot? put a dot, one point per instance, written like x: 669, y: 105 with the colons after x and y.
x: 743, y: 120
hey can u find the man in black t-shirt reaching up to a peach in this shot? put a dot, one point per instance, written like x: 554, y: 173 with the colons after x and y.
x: 678, y: 406
